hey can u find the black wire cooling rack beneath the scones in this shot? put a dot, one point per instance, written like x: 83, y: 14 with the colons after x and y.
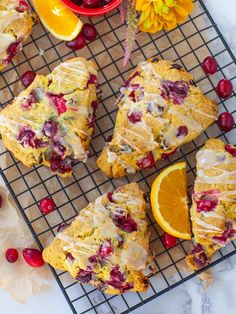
x: 188, y: 44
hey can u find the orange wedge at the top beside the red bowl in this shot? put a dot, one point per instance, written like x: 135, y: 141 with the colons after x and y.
x: 58, y: 19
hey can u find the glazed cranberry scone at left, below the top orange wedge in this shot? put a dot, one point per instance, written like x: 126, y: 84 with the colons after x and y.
x: 52, y: 121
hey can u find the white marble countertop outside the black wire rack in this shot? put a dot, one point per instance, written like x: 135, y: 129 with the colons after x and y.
x: 189, y: 298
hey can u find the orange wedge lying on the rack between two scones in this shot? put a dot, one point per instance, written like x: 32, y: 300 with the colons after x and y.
x: 169, y: 201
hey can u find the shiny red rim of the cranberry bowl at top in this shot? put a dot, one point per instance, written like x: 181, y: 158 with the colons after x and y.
x: 92, y: 11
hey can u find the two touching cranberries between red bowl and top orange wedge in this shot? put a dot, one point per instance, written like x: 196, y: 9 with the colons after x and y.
x: 88, y: 33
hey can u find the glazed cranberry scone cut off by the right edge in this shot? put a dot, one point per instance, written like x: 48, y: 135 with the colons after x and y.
x: 213, y: 211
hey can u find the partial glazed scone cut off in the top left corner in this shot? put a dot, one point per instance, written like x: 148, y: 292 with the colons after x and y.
x: 15, y: 27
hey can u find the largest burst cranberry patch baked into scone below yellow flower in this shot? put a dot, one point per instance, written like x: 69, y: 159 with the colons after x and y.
x: 175, y: 91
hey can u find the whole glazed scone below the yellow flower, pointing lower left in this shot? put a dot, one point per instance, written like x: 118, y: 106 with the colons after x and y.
x: 160, y: 109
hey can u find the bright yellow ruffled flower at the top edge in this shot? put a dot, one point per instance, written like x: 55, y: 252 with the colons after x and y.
x: 162, y: 14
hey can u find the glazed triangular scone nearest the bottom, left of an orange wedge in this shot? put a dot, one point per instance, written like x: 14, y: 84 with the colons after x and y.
x: 107, y: 244
